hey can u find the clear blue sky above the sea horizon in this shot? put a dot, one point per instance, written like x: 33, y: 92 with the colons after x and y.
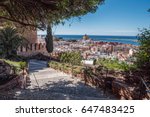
x: 115, y: 17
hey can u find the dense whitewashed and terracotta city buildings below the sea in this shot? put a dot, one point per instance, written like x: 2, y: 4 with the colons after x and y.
x: 94, y: 49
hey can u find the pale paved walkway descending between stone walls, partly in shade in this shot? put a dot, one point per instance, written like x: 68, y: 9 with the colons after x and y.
x: 47, y: 83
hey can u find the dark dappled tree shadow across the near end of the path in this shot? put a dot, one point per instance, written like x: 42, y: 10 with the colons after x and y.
x: 63, y: 90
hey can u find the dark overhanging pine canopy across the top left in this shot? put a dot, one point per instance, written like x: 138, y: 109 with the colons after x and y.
x: 37, y: 13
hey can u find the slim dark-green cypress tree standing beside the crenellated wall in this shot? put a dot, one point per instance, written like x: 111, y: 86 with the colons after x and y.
x: 49, y: 39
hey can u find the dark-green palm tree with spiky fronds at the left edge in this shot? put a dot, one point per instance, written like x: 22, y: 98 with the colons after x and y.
x: 10, y: 40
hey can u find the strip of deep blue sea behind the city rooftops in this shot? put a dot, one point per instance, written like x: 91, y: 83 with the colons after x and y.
x: 120, y: 39
